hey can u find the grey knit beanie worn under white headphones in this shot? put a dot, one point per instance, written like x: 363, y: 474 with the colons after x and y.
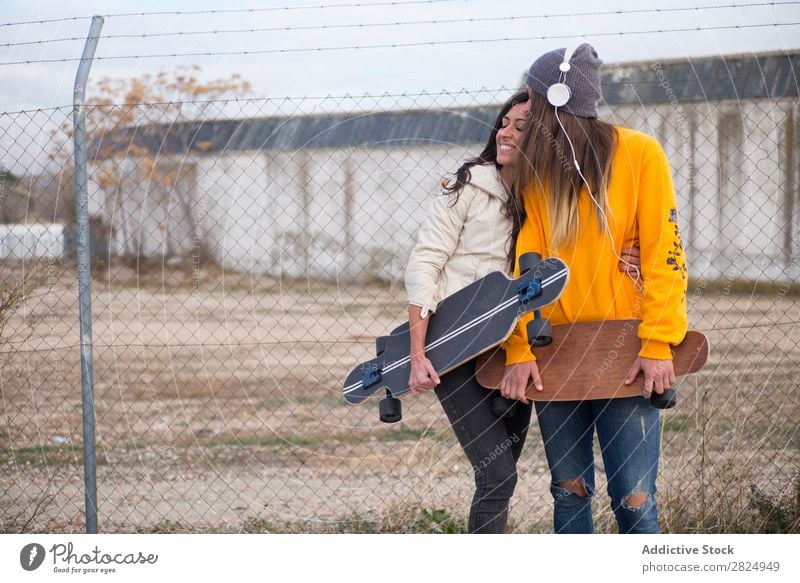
x: 583, y: 78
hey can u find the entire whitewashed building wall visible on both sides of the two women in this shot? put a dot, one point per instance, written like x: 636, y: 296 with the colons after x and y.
x: 352, y: 214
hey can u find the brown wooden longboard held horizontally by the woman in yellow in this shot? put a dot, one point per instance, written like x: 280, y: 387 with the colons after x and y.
x: 590, y: 360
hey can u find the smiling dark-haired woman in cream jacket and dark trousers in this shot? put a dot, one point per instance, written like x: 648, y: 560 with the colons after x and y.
x: 464, y: 238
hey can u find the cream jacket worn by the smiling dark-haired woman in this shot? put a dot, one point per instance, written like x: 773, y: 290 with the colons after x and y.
x: 459, y: 243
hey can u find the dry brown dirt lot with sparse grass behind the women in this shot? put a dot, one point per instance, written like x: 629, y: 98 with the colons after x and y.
x: 218, y: 406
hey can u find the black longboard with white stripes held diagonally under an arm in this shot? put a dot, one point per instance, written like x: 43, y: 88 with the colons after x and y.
x: 466, y: 324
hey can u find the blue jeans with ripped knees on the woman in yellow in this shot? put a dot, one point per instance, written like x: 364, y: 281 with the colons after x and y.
x: 629, y: 434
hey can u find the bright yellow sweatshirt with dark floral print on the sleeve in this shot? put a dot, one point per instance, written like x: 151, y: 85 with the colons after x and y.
x: 643, y: 207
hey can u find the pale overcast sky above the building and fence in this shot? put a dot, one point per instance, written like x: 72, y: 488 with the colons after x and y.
x: 366, y: 70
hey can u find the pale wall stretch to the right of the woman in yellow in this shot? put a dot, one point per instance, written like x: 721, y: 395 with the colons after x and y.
x: 735, y: 168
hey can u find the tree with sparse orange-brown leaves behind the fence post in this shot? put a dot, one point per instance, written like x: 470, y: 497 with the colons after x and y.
x: 143, y: 142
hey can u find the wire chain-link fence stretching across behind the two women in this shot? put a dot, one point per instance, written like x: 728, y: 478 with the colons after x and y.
x: 246, y: 255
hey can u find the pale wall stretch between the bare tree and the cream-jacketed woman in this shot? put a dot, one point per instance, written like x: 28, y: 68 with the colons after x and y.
x: 330, y: 214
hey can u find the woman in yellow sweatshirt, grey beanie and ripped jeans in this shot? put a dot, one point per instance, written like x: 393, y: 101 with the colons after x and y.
x: 589, y: 189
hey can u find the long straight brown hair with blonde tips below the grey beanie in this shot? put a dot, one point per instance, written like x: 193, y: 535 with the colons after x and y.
x: 546, y: 168
